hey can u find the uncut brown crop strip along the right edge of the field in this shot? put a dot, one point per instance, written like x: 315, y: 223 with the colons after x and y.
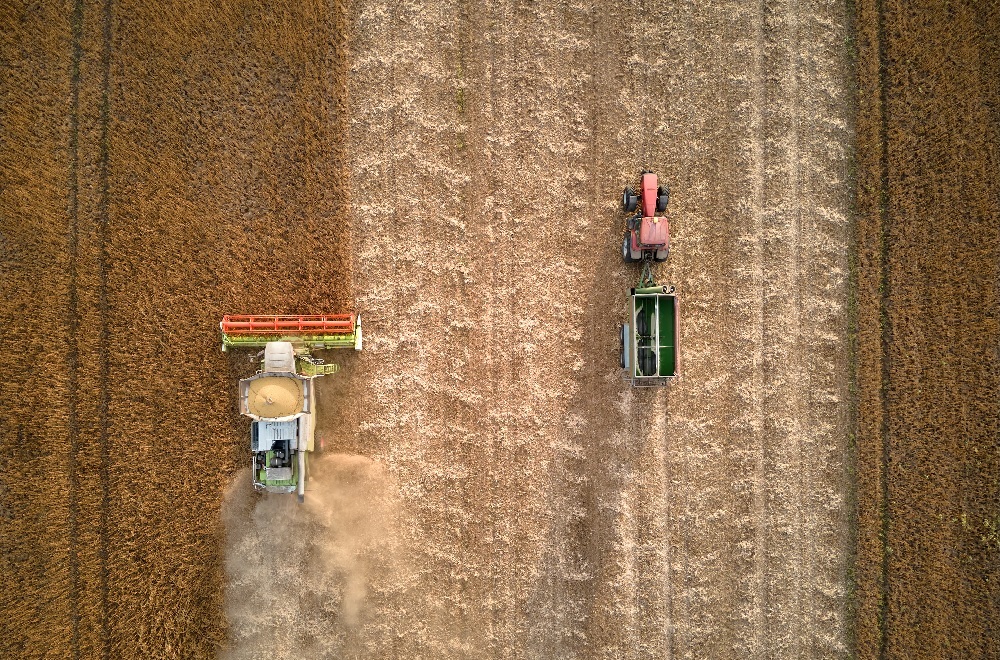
x: 928, y: 444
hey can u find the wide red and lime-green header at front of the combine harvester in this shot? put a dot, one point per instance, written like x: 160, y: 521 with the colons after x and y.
x: 308, y: 331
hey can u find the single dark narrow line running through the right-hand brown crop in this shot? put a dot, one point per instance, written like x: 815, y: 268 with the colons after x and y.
x: 885, y: 329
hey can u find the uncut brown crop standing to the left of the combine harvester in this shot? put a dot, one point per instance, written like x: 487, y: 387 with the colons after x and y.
x: 205, y: 144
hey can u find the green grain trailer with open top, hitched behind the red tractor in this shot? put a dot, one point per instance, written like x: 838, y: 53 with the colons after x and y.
x: 650, y: 355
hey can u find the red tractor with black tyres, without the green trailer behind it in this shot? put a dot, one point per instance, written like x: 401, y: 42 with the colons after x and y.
x: 648, y: 234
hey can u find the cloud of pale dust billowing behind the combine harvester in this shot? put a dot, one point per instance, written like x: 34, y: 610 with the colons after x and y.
x: 299, y: 574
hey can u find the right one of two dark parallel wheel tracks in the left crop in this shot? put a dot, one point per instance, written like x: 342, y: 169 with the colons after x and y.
x: 104, y: 342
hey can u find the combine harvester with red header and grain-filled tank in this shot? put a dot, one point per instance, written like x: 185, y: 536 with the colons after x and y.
x: 281, y: 397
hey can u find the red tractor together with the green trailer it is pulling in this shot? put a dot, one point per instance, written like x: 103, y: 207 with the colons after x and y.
x: 649, y: 338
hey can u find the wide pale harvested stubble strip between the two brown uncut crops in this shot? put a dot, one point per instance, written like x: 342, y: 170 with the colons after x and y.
x: 540, y: 507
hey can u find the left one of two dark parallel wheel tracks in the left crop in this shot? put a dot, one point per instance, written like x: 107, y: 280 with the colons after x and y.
x: 73, y: 313
